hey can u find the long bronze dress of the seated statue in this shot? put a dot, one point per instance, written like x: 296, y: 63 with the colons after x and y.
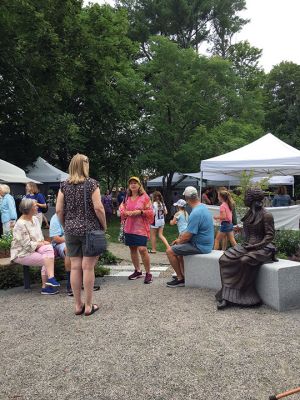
x: 239, y: 266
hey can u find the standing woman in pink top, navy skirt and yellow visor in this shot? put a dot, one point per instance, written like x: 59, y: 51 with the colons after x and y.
x: 137, y: 213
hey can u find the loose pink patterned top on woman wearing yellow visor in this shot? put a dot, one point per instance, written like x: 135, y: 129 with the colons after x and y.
x: 139, y: 224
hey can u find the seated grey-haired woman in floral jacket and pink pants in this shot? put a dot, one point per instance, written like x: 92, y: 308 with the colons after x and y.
x: 29, y: 247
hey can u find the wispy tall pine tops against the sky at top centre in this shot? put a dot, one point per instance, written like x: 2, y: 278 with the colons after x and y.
x: 186, y: 22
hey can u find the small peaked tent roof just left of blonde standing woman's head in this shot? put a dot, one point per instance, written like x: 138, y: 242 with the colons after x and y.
x: 45, y: 172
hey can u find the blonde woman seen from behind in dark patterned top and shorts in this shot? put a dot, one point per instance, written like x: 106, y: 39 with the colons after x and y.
x: 70, y: 209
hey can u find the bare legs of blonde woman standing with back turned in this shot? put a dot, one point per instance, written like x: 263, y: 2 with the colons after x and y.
x: 85, y: 265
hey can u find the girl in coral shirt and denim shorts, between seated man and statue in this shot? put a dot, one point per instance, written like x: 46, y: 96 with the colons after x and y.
x: 225, y: 218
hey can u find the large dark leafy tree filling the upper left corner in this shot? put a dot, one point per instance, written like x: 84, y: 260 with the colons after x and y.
x: 68, y: 84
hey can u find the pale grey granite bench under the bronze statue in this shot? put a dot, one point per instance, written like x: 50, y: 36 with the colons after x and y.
x: 278, y: 283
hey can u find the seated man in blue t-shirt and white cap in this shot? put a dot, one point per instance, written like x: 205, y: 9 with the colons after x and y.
x: 198, y: 238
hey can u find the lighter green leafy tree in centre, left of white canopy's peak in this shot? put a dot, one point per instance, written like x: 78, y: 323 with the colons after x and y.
x: 187, y: 95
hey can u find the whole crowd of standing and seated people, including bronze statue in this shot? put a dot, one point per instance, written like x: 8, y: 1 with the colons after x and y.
x: 80, y: 208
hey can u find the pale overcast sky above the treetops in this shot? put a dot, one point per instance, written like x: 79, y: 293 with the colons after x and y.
x: 274, y: 28
